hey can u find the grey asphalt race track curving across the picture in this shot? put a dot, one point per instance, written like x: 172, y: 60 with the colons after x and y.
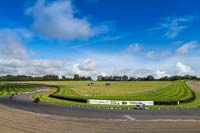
x: 24, y: 102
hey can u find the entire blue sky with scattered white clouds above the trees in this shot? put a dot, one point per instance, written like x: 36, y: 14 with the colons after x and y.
x: 100, y: 37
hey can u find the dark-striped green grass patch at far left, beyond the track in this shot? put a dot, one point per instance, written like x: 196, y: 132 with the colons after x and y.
x: 8, y: 89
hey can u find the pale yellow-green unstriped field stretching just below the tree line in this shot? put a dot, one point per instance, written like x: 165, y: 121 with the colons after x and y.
x: 100, y: 89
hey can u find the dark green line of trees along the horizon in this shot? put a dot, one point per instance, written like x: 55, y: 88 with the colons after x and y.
x: 76, y: 77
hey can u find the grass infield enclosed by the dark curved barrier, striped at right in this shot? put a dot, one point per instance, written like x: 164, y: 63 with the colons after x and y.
x: 141, y: 90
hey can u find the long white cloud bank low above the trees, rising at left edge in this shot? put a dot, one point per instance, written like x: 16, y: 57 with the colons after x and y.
x: 16, y: 59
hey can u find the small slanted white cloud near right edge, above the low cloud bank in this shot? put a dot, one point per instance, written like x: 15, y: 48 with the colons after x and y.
x: 185, y: 48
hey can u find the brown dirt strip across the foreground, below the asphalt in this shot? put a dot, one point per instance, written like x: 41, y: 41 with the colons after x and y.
x: 17, y: 121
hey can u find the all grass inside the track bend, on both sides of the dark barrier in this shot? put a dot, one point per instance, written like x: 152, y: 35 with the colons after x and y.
x: 135, y: 90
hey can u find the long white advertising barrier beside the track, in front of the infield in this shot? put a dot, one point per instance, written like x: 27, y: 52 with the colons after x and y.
x: 115, y: 102
